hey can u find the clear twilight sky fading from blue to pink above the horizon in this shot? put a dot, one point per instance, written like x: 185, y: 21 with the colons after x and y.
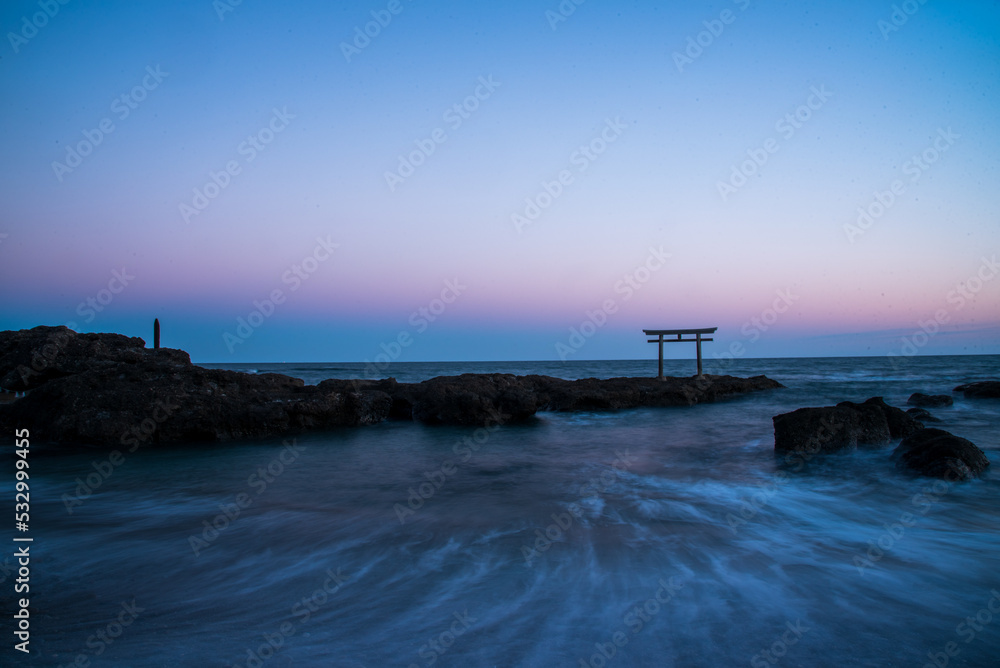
x: 928, y: 88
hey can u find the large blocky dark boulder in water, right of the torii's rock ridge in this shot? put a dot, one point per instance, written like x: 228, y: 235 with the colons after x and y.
x: 844, y: 426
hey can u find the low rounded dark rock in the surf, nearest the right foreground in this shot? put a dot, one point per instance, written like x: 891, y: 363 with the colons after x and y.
x: 938, y: 453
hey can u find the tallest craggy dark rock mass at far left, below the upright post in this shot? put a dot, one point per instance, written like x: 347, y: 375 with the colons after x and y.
x: 107, y: 389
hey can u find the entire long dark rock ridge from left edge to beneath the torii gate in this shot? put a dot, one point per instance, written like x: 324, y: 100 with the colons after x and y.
x: 110, y: 390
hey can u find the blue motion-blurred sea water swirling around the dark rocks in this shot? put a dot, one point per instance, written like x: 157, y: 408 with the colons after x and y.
x: 648, y: 537
